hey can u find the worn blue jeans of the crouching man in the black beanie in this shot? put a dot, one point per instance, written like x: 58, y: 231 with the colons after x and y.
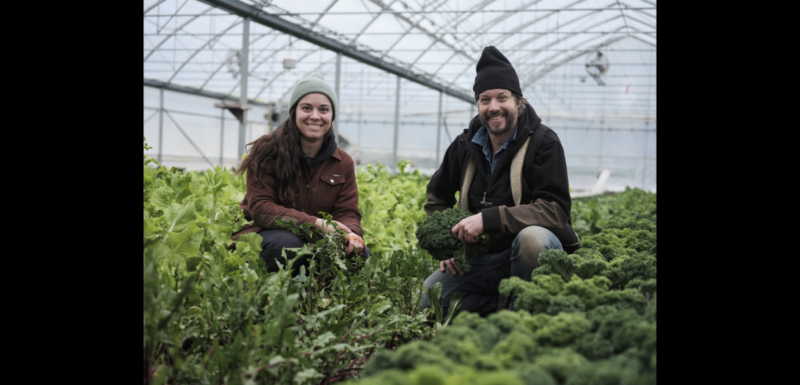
x: 479, y: 285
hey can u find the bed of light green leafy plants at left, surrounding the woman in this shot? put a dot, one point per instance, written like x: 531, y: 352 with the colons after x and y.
x: 215, y: 315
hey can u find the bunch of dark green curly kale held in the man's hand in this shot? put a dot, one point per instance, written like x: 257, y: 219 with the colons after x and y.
x: 434, y: 236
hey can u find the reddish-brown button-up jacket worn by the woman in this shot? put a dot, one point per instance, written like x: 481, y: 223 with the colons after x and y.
x: 331, y: 189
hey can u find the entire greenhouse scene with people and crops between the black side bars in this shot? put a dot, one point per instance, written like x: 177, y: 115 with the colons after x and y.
x: 377, y: 261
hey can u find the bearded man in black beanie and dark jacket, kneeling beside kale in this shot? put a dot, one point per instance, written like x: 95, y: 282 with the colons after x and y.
x: 509, y: 170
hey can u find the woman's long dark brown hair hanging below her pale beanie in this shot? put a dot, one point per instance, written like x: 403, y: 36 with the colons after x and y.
x: 278, y: 153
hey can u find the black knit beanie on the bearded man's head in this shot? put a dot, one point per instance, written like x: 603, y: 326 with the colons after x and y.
x: 495, y: 71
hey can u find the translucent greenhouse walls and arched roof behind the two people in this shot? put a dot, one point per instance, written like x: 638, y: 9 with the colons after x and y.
x: 218, y: 74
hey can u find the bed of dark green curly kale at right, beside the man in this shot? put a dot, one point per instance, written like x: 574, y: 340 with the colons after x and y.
x: 586, y: 318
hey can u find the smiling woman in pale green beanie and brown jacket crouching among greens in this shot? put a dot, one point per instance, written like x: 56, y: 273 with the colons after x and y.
x: 298, y: 171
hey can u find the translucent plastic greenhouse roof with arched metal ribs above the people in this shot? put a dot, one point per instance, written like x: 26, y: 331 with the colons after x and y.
x: 196, y: 44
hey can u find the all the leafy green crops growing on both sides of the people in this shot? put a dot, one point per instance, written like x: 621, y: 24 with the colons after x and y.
x: 212, y: 314
